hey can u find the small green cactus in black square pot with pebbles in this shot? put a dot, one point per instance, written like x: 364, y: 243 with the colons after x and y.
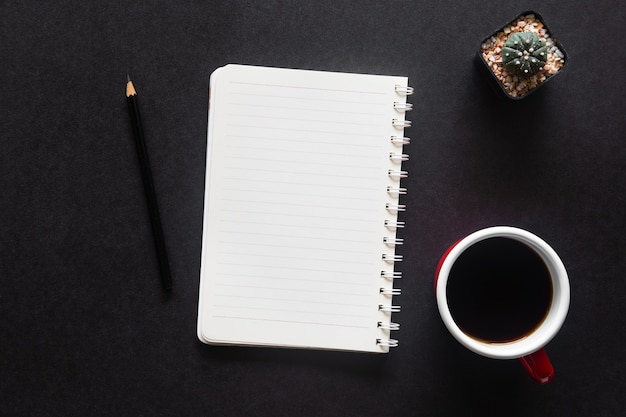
x: 521, y: 56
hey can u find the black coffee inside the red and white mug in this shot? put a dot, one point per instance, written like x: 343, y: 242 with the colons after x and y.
x: 499, y: 290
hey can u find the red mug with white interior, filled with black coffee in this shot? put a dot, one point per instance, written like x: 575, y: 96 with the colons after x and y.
x: 504, y: 293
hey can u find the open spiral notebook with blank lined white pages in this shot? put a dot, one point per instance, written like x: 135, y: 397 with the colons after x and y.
x: 303, y: 182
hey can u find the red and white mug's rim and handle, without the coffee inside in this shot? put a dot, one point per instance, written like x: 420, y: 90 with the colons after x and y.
x: 529, y: 348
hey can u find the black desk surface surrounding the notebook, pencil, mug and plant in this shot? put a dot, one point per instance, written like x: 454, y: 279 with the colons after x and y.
x: 85, y: 329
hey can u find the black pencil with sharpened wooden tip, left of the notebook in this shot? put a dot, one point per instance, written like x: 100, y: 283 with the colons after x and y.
x: 146, y: 173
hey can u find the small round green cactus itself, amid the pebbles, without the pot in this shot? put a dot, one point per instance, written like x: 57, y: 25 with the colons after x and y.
x: 524, y: 53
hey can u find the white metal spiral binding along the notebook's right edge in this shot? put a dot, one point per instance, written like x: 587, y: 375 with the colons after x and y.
x: 388, y: 275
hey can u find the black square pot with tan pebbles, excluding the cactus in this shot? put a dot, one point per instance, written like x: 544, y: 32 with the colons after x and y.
x: 509, y: 85
